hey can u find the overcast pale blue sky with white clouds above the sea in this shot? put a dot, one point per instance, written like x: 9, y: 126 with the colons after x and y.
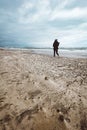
x: 39, y: 22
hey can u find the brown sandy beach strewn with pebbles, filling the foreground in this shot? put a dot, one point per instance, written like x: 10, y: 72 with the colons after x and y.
x: 39, y: 92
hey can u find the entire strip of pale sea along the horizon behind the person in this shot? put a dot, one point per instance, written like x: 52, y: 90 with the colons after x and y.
x: 63, y: 52
